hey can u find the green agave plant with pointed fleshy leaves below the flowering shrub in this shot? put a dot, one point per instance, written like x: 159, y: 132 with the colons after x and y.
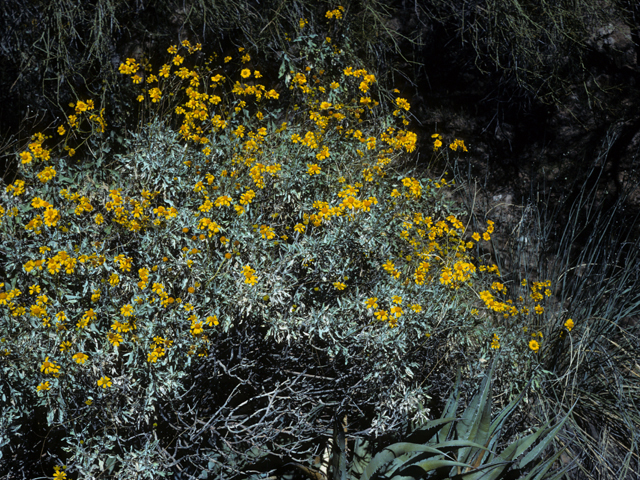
x: 461, y: 448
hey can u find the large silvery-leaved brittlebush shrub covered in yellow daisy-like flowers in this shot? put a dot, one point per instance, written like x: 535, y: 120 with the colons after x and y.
x: 274, y: 236
